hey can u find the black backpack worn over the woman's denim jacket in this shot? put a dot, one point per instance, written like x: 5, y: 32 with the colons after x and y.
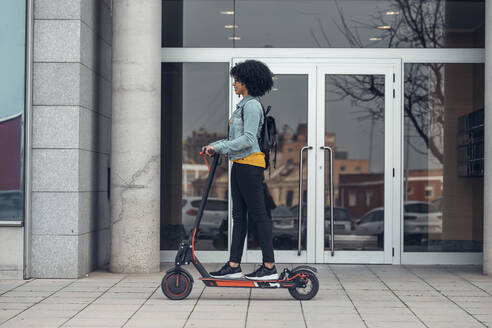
x: 268, y: 140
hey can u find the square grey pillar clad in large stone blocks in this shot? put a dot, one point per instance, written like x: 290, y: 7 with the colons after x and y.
x: 71, y: 120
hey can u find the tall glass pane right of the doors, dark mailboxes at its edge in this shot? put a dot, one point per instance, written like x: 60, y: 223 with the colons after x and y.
x: 443, y: 137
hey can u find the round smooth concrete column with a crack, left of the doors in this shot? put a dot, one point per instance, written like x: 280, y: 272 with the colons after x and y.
x: 135, y: 136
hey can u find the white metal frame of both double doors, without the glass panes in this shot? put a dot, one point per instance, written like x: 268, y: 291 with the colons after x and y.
x: 315, y: 253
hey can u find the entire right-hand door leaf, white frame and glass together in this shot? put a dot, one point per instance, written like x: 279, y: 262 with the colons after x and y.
x: 357, y: 210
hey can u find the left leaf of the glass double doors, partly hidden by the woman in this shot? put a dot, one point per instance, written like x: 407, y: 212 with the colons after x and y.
x: 291, y: 183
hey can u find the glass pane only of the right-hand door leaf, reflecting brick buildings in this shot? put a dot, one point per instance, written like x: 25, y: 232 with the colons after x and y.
x: 354, y: 128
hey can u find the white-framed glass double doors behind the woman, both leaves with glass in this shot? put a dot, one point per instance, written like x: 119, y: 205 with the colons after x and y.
x: 339, y: 123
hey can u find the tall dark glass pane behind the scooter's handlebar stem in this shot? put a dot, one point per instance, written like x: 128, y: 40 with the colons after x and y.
x: 194, y: 113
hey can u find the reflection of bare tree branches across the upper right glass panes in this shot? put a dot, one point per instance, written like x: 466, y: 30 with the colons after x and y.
x: 404, y: 24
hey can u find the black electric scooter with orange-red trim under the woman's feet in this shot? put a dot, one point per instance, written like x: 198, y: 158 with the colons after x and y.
x: 177, y: 283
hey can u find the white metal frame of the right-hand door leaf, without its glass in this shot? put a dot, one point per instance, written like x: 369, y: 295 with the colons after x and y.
x: 393, y: 160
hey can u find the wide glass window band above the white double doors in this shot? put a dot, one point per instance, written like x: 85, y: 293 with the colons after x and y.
x: 324, y: 24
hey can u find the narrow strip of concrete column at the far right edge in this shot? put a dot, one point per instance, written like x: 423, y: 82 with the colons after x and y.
x: 487, y: 226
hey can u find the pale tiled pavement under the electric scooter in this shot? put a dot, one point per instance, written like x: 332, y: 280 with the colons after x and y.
x: 350, y: 296
